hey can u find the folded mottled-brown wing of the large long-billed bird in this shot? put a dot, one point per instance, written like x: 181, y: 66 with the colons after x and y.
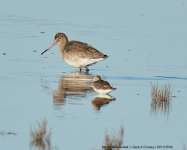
x: 82, y: 50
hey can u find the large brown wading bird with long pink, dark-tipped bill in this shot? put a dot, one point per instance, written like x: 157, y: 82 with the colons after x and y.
x: 75, y: 53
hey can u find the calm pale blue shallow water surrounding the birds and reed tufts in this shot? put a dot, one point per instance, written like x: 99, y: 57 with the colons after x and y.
x: 145, y: 41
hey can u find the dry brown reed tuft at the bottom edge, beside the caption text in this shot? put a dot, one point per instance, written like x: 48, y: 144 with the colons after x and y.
x: 115, y: 140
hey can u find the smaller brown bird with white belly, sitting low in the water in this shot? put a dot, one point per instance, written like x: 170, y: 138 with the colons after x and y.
x: 101, y: 86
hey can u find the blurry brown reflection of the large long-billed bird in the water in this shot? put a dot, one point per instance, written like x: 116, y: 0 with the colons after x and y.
x: 74, y: 85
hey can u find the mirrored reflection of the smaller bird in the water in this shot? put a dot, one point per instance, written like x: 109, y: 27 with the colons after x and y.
x: 100, y: 100
